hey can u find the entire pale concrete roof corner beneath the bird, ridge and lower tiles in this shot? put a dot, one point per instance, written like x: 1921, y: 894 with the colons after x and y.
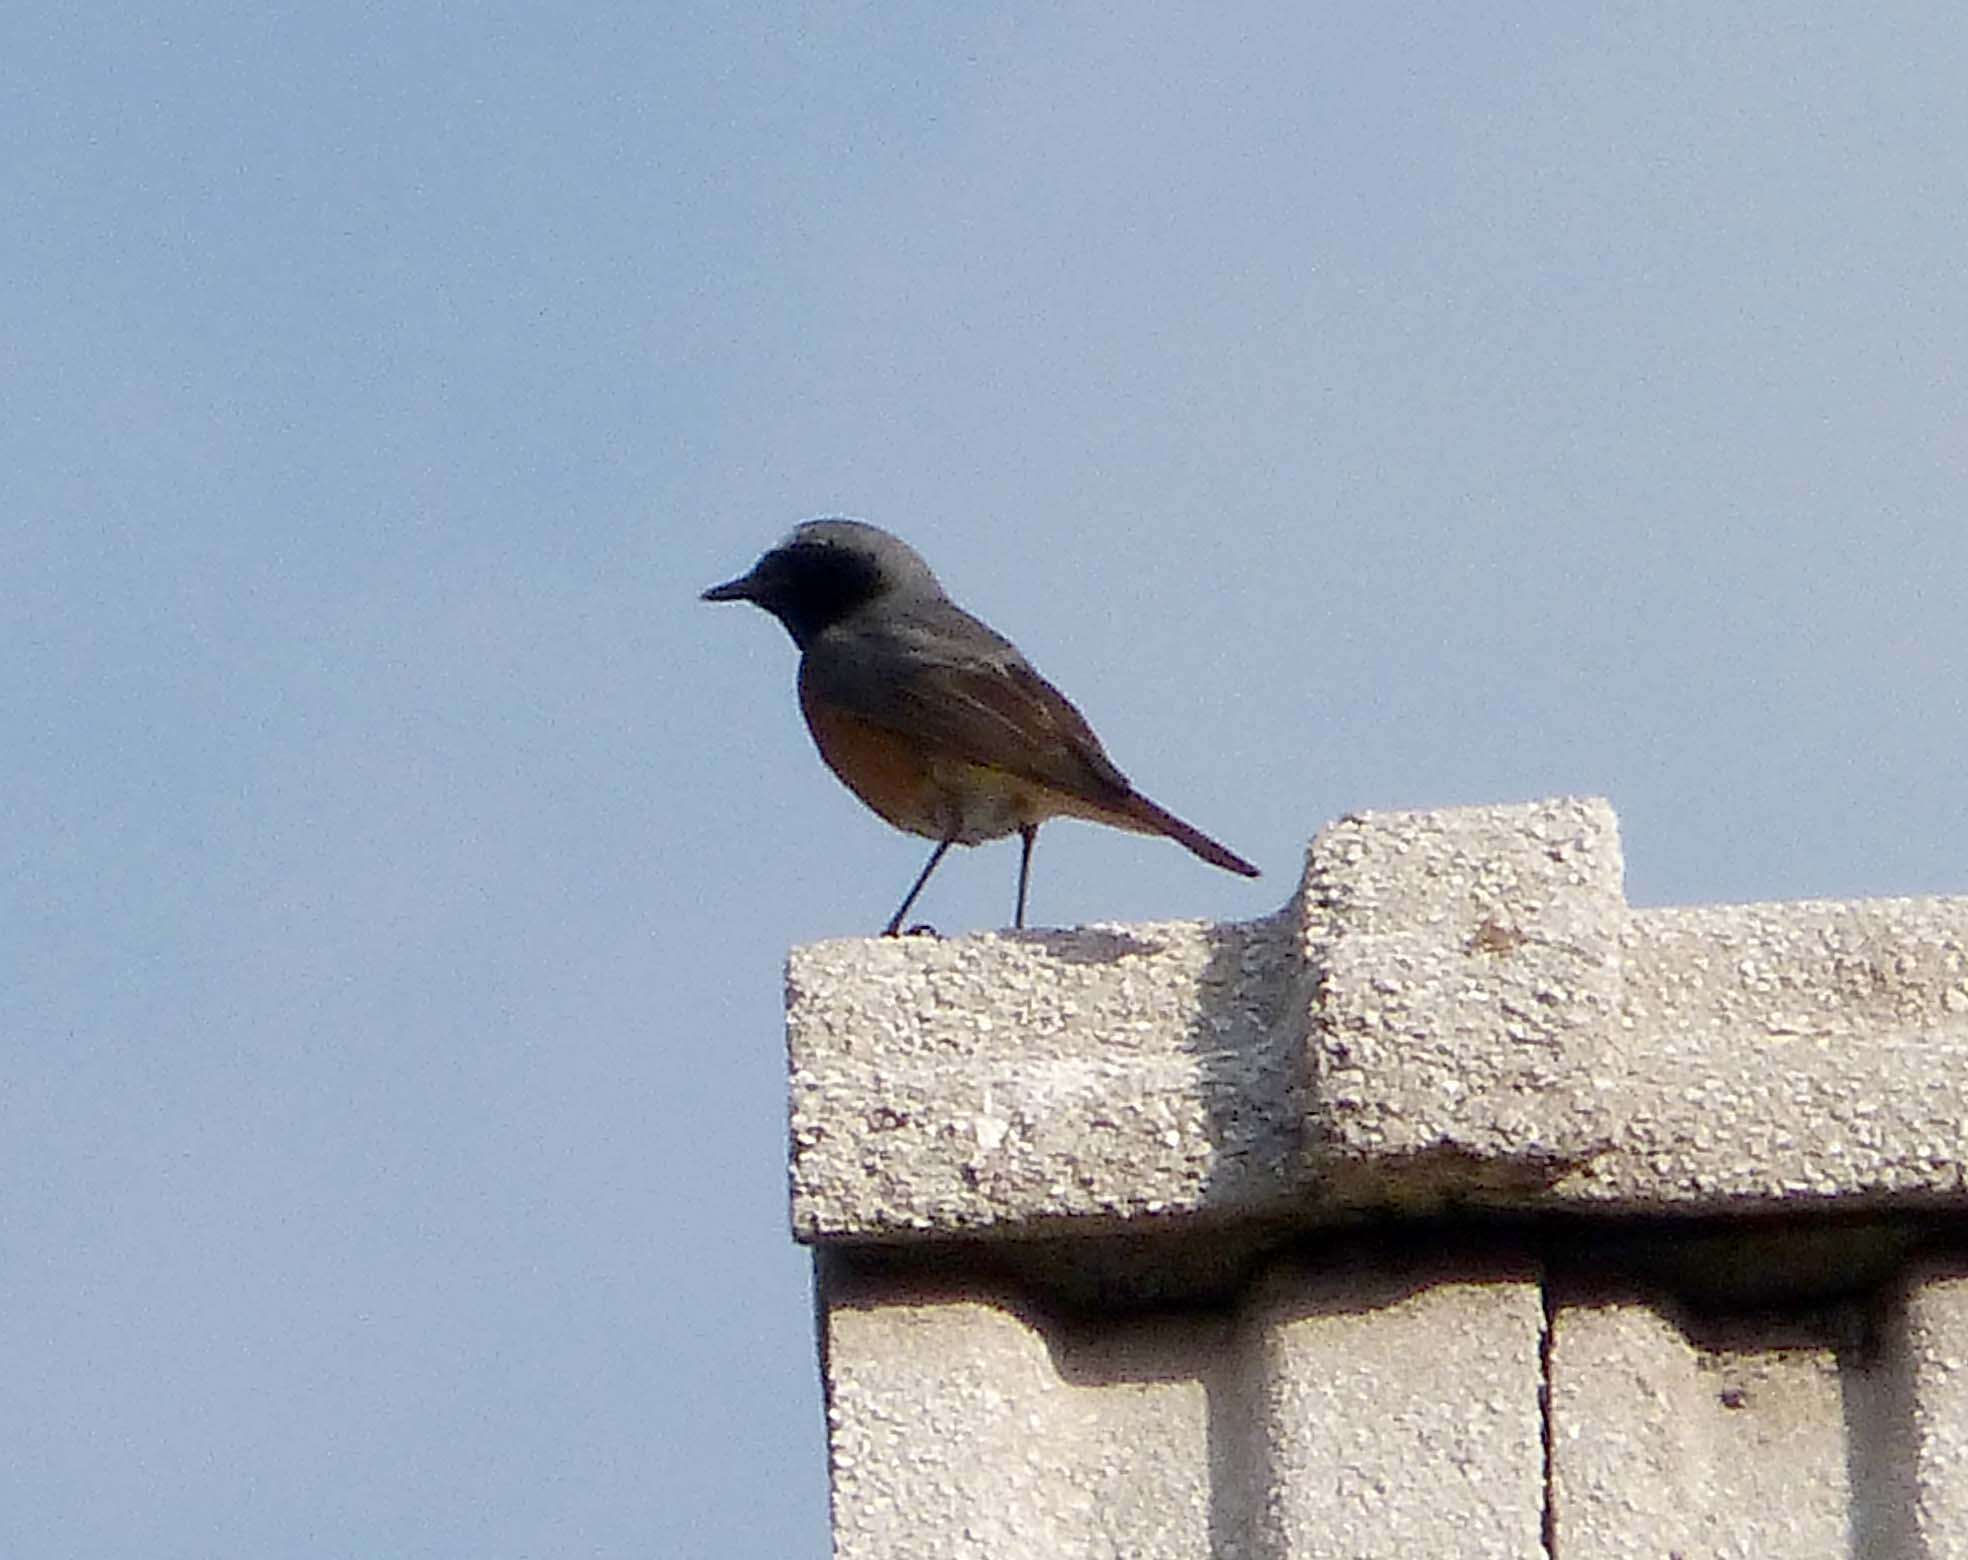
x: 1453, y: 1211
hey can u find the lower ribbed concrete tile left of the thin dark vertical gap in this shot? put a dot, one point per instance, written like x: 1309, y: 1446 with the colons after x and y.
x: 1347, y: 1415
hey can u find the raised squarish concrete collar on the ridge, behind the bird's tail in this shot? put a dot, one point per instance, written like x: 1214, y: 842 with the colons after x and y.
x: 1467, y: 963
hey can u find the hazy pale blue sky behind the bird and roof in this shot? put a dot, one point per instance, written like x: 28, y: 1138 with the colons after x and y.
x: 1347, y: 406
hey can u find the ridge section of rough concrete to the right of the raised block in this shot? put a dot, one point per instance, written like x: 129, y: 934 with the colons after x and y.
x: 1790, y: 1053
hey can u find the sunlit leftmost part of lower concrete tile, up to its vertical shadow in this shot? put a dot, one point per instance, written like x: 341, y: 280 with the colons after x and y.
x: 965, y: 1427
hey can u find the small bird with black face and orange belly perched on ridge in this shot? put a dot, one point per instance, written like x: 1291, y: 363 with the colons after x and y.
x: 934, y: 719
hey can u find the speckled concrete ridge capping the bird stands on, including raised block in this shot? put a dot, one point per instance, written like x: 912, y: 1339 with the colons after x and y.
x: 1457, y: 1008
